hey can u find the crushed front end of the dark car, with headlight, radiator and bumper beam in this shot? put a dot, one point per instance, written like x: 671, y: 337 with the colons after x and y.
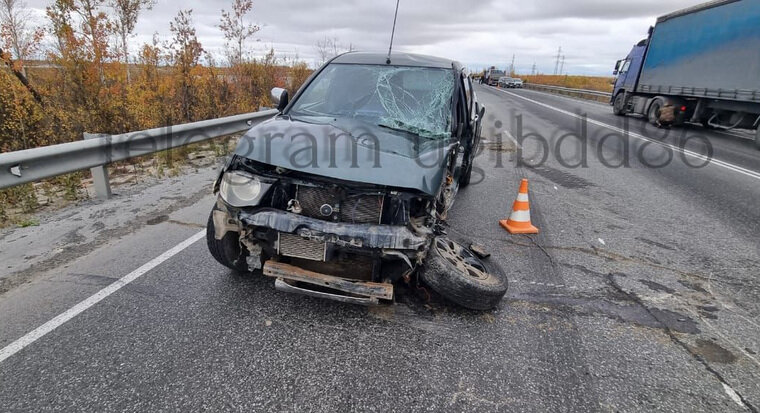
x: 320, y: 236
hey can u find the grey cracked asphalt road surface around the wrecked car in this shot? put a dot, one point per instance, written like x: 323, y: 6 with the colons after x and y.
x: 640, y: 294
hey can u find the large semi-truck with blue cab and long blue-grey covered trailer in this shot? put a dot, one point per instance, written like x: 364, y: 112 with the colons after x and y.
x: 702, y: 64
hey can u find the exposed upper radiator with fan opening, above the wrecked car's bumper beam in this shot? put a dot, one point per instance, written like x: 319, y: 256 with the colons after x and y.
x: 355, y: 209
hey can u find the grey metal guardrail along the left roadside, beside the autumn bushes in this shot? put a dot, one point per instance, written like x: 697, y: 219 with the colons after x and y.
x: 97, y: 150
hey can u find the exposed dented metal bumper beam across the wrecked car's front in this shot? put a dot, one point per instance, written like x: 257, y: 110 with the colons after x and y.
x: 337, y: 233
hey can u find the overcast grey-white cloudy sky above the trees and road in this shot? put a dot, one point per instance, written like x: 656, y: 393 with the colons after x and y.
x: 593, y: 34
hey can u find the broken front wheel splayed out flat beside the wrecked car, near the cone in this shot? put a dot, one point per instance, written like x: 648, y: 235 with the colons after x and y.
x: 458, y: 275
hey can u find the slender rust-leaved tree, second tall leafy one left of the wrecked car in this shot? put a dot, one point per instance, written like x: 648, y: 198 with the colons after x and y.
x: 185, y: 54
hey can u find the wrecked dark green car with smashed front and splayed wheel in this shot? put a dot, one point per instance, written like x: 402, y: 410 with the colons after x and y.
x: 346, y: 190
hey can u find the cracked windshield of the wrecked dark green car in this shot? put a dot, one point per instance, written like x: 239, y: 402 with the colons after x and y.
x: 415, y: 100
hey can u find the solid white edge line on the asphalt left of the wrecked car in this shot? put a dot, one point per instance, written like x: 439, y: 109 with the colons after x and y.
x: 72, y: 312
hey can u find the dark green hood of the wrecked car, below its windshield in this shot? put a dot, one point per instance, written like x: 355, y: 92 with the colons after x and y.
x: 350, y: 151
